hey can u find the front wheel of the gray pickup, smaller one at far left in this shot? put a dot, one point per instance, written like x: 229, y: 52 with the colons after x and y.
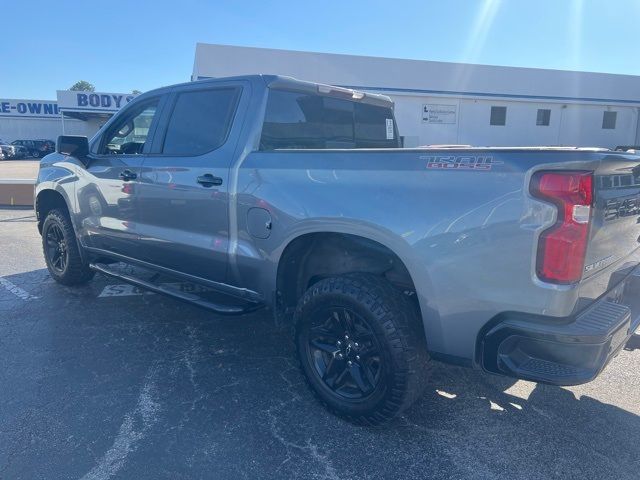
x: 61, y: 250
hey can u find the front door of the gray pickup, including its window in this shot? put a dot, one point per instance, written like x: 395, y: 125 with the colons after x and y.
x: 106, y: 190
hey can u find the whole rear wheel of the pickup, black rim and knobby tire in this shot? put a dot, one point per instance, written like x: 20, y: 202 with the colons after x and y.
x: 361, y: 347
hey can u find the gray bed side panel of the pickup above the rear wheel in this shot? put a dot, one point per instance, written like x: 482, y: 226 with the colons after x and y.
x: 467, y: 236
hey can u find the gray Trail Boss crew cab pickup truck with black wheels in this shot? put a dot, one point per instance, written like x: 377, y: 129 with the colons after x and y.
x: 297, y: 197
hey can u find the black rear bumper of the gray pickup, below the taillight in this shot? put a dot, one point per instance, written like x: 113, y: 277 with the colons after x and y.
x: 566, y: 351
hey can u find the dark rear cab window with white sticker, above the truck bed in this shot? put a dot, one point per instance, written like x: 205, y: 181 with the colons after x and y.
x: 297, y: 120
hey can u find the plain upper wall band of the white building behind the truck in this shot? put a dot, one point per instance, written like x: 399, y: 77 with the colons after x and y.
x: 419, y: 76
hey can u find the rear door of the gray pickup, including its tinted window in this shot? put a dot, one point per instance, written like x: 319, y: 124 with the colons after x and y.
x: 184, y: 182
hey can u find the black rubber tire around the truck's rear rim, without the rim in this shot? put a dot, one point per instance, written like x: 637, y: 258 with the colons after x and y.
x: 393, y: 319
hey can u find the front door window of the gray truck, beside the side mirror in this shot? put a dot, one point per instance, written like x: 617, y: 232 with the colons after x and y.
x: 128, y: 134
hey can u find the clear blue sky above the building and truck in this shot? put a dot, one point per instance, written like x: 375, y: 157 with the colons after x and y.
x: 120, y: 46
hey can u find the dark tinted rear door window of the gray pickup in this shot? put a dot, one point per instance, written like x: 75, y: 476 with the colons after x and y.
x: 200, y: 121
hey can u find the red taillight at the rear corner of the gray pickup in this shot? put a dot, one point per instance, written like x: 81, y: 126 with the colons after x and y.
x: 562, y: 247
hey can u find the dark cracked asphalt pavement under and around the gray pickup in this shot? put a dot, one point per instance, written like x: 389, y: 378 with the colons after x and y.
x: 105, y: 381
